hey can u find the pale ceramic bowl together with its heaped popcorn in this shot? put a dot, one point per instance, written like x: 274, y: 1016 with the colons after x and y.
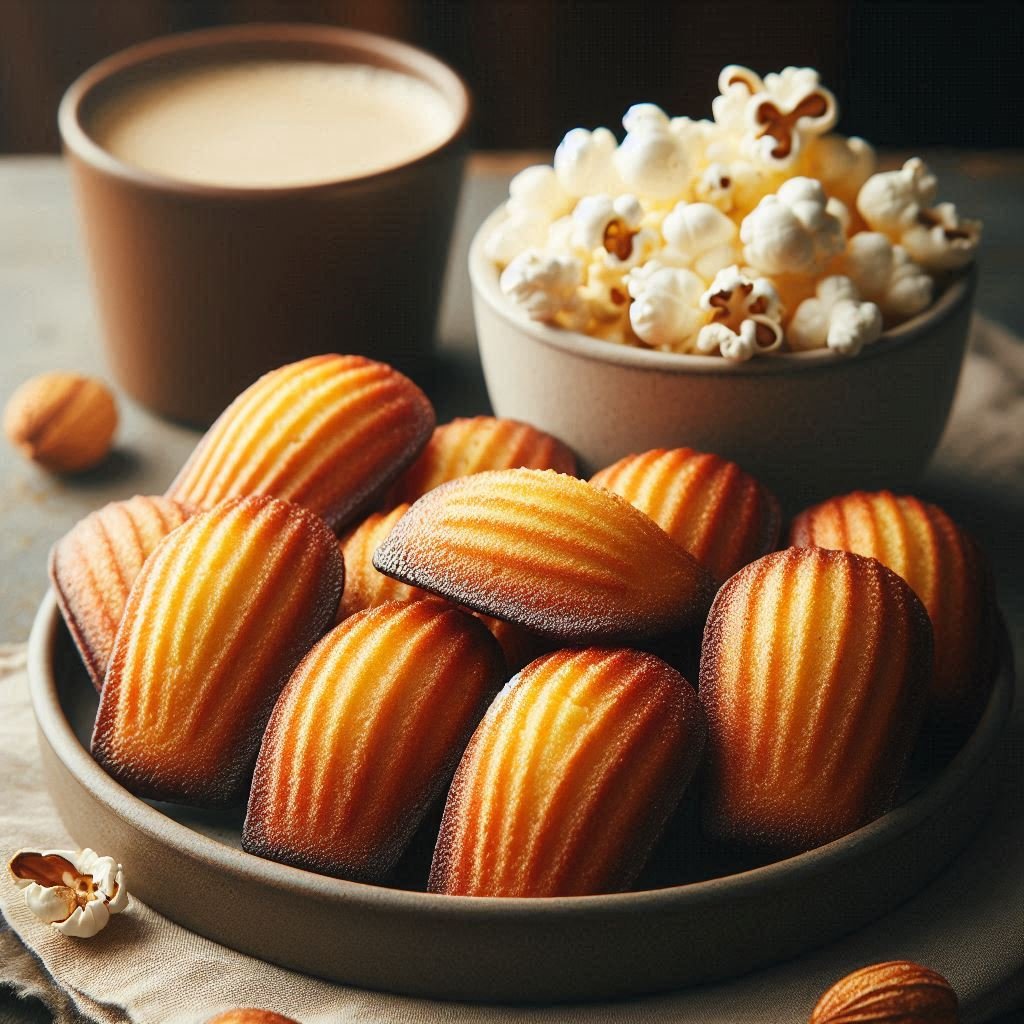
x: 751, y: 285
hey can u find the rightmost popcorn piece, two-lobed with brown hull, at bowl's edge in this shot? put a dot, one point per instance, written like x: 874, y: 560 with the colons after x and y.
x: 900, y: 205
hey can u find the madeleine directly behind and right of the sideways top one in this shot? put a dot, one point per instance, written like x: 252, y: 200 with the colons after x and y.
x: 721, y: 516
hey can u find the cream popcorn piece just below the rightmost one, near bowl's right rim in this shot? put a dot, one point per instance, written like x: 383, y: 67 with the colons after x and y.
x: 886, y: 276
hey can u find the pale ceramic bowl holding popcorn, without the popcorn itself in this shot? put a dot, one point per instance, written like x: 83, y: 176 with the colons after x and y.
x: 808, y: 424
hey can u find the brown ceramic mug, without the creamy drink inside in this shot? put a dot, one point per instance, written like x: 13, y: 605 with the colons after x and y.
x: 203, y: 288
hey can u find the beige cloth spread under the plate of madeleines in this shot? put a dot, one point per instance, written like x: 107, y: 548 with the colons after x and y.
x: 969, y: 924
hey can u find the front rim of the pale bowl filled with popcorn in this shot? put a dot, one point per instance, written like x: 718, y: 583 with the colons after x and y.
x: 485, y: 276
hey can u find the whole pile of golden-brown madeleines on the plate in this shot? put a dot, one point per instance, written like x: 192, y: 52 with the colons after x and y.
x: 343, y: 614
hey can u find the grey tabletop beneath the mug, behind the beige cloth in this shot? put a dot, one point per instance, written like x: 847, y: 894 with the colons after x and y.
x: 48, y: 321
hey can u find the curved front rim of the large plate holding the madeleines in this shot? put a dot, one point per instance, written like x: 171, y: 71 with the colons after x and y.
x: 237, y: 864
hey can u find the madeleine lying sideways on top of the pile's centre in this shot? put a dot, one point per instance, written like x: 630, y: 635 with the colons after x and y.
x: 551, y: 553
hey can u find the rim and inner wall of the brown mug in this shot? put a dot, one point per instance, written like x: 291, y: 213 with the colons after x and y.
x: 399, y: 56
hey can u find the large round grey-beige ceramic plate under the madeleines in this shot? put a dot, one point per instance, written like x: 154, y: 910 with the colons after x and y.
x: 187, y: 865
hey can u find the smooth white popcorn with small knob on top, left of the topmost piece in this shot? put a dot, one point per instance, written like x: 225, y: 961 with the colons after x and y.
x: 653, y: 161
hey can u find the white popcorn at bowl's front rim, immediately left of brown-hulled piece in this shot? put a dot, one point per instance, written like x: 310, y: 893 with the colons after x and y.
x: 666, y: 313
